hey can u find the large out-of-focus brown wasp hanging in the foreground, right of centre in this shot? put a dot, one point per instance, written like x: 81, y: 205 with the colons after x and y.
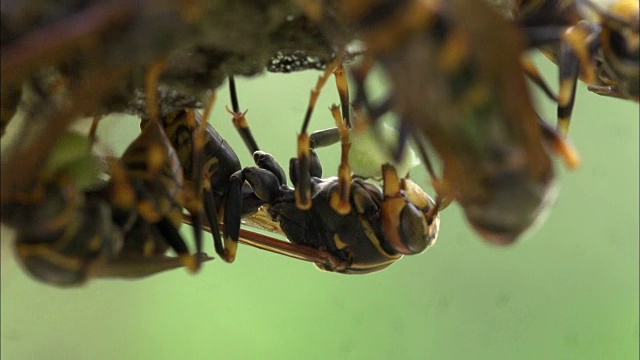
x: 455, y: 82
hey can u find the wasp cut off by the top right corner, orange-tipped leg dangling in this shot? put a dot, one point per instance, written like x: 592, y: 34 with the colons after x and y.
x: 595, y: 41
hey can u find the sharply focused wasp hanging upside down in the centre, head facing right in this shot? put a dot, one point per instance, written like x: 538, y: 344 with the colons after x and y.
x: 342, y: 224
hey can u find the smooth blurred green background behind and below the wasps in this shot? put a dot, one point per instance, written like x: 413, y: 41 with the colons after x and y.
x: 569, y: 290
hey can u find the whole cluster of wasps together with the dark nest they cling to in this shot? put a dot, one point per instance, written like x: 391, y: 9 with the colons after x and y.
x: 456, y: 84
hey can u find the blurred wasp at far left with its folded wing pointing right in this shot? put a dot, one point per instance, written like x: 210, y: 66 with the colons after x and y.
x: 68, y: 229
